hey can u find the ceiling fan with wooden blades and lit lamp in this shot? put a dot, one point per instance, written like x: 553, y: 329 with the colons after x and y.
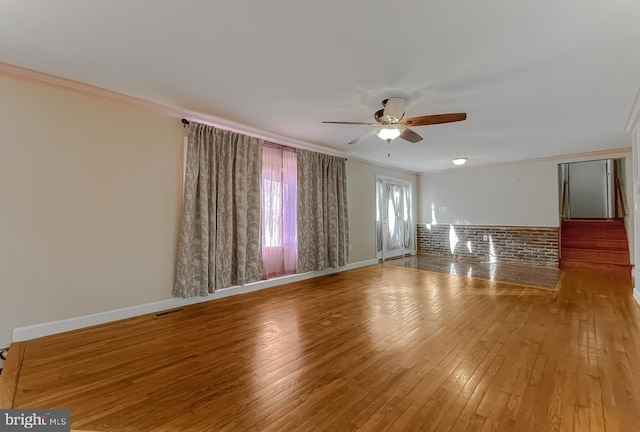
x: 391, y: 125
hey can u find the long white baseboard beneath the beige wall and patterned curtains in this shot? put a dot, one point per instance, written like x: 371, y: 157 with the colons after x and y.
x: 54, y: 327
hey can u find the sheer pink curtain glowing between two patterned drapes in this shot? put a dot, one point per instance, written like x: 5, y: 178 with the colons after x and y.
x: 278, y: 195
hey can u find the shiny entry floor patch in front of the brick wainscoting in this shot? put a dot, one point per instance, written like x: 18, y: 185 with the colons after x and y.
x: 539, y: 277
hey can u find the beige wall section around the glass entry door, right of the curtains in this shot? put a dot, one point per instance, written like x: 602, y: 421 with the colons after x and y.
x: 361, y: 195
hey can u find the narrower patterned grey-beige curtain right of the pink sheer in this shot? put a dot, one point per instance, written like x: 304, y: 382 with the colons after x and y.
x: 323, y: 224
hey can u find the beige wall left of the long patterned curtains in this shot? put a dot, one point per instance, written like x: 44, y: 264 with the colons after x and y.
x: 89, y: 204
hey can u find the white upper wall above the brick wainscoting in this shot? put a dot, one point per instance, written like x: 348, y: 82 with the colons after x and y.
x: 523, y: 194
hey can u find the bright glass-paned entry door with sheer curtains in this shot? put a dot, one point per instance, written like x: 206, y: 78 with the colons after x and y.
x: 394, y: 221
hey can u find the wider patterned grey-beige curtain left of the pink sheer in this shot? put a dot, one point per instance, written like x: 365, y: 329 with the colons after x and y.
x: 219, y: 241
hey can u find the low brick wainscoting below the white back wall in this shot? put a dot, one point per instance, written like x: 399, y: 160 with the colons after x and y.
x: 536, y: 246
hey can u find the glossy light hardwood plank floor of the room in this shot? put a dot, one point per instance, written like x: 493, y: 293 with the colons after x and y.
x: 379, y: 348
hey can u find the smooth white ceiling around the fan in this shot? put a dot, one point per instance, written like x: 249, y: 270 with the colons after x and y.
x: 537, y: 78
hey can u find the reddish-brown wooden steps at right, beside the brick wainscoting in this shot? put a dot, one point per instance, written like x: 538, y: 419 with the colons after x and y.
x: 595, y: 244
